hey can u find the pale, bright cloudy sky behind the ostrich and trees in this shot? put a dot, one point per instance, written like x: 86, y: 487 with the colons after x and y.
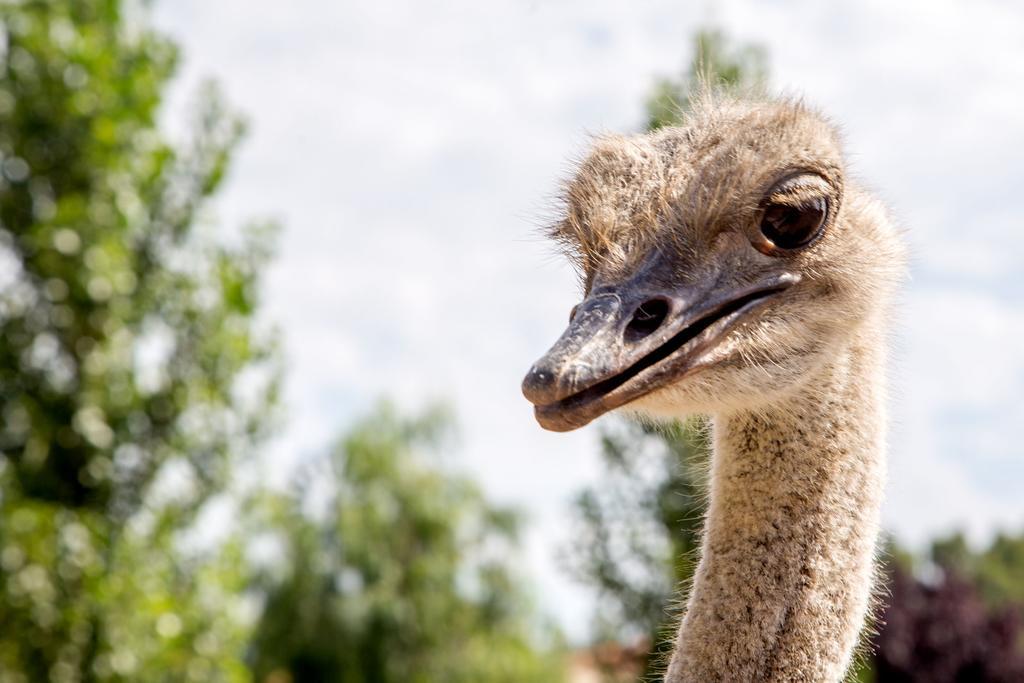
x: 411, y: 151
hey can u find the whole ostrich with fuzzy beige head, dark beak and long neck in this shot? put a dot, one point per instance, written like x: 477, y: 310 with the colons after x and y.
x: 732, y: 268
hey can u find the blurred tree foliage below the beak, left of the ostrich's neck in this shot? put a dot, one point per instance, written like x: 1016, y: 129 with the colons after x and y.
x: 638, y: 529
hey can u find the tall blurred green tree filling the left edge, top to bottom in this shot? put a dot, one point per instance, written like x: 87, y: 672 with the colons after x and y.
x: 133, y: 374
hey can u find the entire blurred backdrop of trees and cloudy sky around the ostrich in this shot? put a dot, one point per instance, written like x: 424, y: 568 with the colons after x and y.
x: 271, y: 275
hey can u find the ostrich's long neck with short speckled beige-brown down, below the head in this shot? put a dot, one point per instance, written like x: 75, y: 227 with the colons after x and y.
x: 785, y: 579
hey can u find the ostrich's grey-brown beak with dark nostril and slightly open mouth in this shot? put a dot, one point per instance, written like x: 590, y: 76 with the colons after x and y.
x: 628, y: 340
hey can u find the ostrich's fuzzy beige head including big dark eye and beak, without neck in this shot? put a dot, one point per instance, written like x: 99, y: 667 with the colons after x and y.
x: 721, y: 263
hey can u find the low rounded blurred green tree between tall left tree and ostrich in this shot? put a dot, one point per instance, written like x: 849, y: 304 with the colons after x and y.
x: 402, y: 573
